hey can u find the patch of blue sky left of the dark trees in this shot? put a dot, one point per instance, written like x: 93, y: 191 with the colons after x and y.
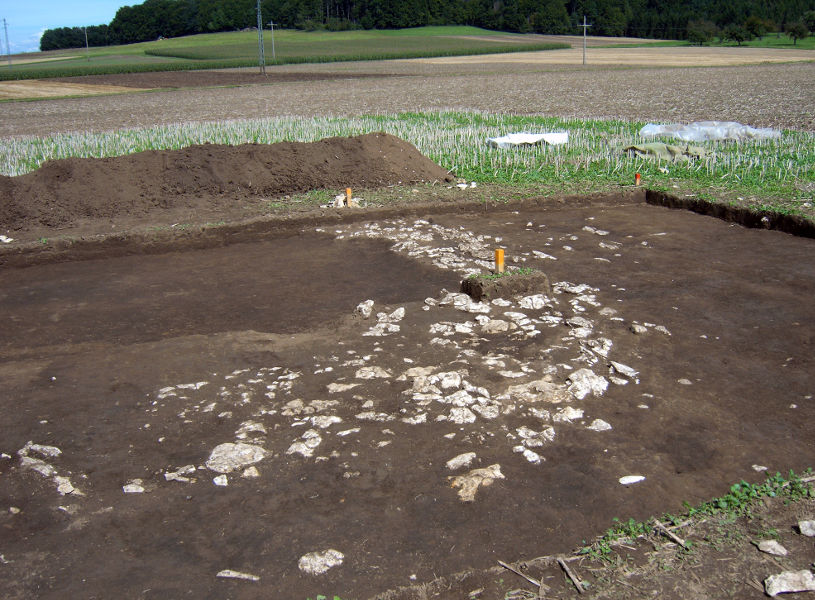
x: 27, y: 19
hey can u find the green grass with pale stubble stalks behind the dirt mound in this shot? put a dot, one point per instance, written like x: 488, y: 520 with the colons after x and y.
x: 775, y: 174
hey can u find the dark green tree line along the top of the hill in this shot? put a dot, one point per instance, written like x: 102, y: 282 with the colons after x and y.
x: 661, y: 19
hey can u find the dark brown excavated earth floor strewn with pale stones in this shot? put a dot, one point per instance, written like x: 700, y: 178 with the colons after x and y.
x: 135, y: 365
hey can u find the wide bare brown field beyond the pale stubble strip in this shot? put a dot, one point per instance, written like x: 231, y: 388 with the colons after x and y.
x: 762, y: 95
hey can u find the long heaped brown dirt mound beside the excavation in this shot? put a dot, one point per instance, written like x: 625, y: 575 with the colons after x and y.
x: 64, y: 191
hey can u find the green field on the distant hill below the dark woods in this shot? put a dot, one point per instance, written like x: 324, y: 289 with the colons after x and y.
x: 240, y: 49
